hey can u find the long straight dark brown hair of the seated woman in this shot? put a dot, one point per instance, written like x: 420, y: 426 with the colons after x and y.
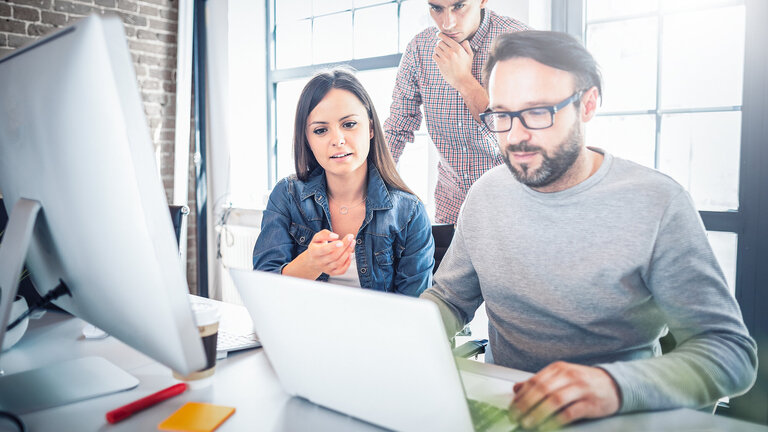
x: 315, y: 90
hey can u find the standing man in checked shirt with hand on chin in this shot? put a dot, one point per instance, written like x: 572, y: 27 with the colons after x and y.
x: 441, y: 69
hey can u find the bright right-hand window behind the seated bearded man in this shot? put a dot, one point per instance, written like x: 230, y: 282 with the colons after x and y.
x: 673, y: 82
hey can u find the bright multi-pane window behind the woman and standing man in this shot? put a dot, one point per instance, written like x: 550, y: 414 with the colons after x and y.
x: 369, y: 35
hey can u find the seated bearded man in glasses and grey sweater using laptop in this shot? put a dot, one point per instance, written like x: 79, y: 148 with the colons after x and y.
x: 585, y: 260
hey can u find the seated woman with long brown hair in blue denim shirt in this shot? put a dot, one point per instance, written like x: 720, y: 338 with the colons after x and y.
x: 346, y: 216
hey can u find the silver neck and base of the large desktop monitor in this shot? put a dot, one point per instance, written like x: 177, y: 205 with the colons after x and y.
x: 52, y: 385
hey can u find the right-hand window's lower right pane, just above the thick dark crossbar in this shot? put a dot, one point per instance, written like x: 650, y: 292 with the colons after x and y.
x: 701, y: 151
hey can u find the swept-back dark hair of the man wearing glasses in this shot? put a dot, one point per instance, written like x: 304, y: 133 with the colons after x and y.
x: 554, y: 49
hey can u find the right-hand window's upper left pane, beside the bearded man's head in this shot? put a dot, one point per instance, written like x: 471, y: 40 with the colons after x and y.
x: 626, y: 53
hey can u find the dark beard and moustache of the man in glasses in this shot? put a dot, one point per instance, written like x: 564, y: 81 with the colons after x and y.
x: 552, y: 167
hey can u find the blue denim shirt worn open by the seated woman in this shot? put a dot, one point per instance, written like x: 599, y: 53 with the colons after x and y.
x: 394, y: 250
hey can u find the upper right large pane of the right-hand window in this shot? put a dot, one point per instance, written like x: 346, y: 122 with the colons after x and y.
x: 708, y: 69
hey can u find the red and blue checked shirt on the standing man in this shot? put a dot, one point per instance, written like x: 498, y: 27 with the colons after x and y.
x: 467, y: 149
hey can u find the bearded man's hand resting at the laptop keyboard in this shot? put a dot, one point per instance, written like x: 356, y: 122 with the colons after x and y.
x: 562, y: 393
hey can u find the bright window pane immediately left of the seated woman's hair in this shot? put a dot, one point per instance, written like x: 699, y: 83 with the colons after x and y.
x: 286, y: 98
